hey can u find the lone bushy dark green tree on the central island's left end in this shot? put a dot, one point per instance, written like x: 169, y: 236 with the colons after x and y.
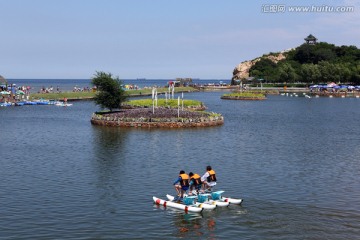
x: 110, y: 93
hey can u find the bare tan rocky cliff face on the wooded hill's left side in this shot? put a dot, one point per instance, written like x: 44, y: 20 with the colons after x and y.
x: 241, y: 71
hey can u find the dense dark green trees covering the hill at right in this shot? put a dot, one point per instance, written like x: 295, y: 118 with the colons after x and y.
x: 312, y: 63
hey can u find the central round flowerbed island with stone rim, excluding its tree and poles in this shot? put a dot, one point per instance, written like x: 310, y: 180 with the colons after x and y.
x: 166, y: 114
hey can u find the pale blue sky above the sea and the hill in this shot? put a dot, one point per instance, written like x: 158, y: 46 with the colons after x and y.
x: 157, y: 38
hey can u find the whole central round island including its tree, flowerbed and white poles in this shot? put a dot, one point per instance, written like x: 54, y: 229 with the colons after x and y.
x: 147, y: 113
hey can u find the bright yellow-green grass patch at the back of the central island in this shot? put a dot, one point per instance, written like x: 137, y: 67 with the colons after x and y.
x: 172, y: 103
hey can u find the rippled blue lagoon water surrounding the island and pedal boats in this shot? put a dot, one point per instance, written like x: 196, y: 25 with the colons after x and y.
x: 294, y: 161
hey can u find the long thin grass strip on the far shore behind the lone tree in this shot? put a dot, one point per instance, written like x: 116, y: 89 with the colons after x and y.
x: 89, y: 95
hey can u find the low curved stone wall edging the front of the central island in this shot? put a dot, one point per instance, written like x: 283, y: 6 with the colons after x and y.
x: 98, y: 119
